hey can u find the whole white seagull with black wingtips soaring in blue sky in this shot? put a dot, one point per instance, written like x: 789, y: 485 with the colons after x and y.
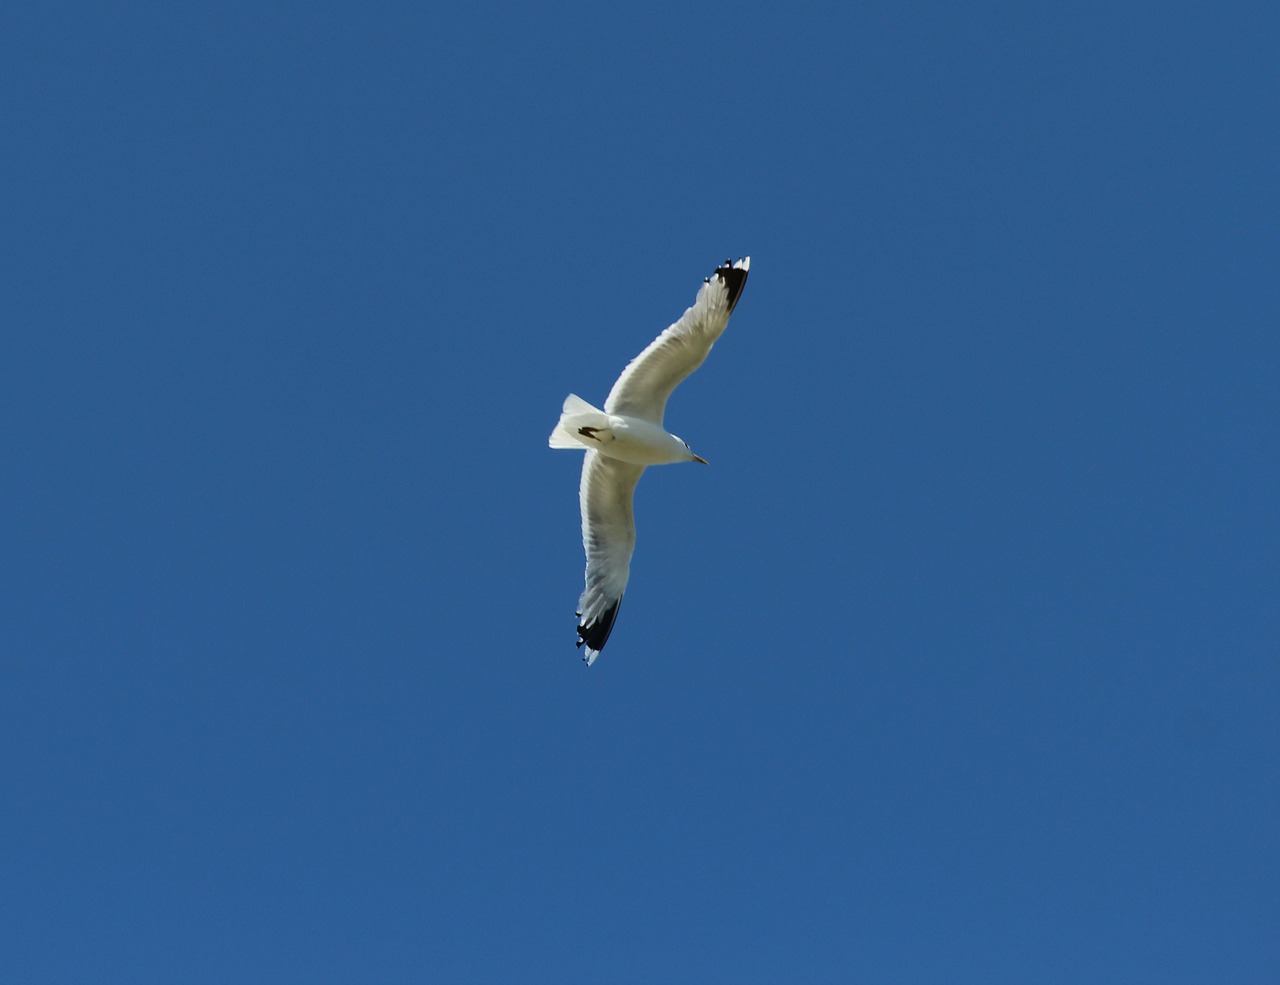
x: 629, y: 436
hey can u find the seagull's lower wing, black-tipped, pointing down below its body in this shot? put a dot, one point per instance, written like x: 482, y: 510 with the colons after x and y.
x: 609, y: 537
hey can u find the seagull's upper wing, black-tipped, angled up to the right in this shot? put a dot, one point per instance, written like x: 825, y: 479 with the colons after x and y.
x: 644, y: 387
